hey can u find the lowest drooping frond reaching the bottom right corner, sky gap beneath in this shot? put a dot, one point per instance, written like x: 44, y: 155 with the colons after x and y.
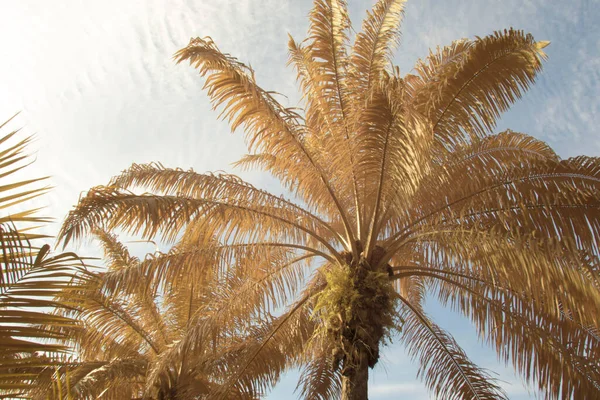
x: 550, y: 349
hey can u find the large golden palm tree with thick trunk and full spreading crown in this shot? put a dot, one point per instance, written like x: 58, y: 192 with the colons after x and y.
x: 399, y: 190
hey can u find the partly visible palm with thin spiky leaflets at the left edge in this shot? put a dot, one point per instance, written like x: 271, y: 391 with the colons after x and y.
x: 30, y: 341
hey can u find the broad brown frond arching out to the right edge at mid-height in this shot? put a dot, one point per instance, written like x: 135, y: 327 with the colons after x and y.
x: 522, y: 189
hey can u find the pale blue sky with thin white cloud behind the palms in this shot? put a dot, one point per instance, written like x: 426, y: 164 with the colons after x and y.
x: 96, y: 83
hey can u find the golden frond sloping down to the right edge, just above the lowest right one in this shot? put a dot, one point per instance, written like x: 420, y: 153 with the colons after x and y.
x: 520, y: 265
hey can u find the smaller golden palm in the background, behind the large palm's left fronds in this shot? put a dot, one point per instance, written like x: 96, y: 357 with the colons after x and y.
x: 135, y: 337
